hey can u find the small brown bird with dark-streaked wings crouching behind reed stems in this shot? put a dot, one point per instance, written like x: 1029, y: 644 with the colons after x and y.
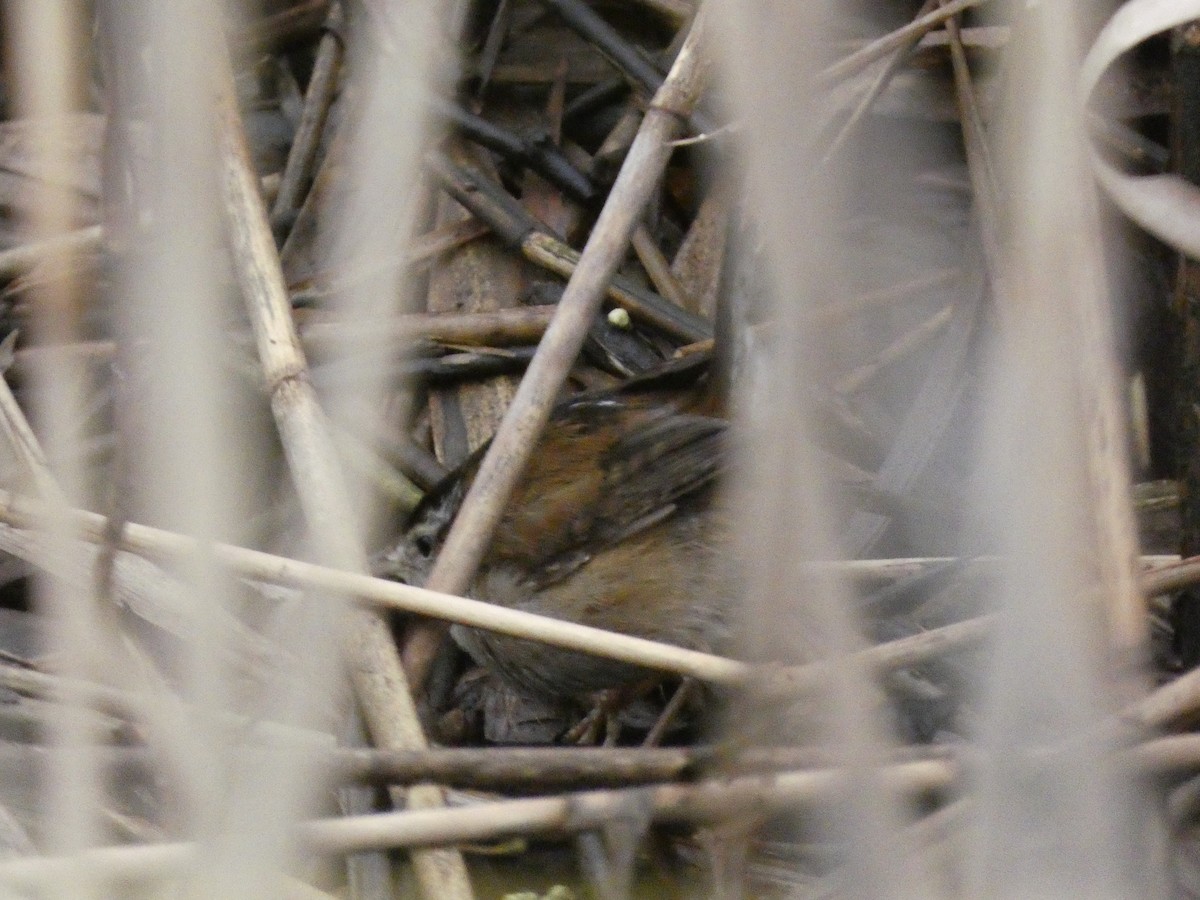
x: 616, y: 524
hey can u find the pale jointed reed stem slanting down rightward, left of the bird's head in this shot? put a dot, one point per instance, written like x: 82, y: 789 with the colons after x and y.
x: 368, y: 645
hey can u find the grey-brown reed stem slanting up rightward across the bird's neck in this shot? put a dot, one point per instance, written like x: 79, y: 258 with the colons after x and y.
x: 523, y: 425
